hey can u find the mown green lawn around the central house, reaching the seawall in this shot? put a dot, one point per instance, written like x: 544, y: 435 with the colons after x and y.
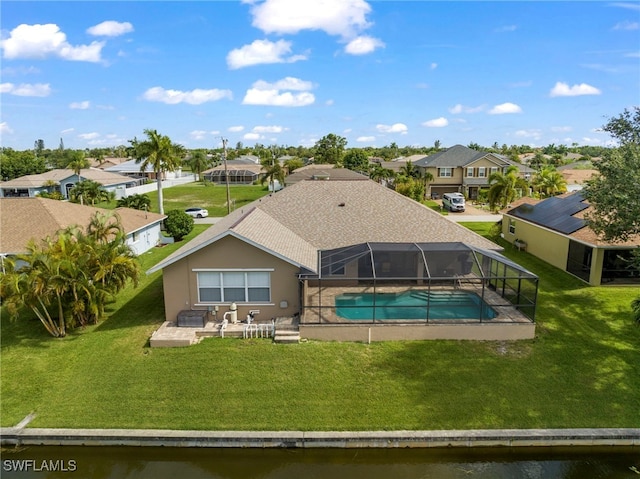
x: 581, y: 370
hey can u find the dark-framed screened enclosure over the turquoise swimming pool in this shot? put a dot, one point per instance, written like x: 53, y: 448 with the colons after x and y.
x: 399, y: 283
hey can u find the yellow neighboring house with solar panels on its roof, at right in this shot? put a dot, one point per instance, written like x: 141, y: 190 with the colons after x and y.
x: 555, y: 231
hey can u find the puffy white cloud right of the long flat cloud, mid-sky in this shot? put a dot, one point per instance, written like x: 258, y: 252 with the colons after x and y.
x: 272, y: 94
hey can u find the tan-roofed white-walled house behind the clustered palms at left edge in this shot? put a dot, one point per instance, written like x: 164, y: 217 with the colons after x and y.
x: 23, y: 219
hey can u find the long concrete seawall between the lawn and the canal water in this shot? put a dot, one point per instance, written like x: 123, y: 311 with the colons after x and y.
x: 16, y: 436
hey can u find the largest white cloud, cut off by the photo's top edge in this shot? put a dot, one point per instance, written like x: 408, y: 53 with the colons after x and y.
x: 344, y: 18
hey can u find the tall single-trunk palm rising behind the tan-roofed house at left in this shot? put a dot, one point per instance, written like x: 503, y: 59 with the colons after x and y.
x: 160, y: 153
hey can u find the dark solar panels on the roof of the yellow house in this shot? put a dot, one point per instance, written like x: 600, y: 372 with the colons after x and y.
x: 555, y: 213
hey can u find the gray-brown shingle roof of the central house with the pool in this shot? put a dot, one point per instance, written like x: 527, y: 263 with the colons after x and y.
x: 312, y: 215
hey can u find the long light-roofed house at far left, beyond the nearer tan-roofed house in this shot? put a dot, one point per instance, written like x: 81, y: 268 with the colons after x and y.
x: 61, y: 180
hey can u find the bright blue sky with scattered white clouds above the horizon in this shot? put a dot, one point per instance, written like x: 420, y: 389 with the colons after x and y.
x: 96, y: 74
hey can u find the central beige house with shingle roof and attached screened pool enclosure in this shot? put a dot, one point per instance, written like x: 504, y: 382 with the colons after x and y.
x: 298, y: 252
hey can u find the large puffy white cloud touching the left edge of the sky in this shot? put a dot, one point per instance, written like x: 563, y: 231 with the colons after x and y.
x: 41, y: 41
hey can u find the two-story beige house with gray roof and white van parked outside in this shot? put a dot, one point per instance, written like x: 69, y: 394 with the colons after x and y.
x: 464, y: 170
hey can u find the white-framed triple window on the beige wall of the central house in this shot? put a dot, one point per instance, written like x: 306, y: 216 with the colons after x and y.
x: 238, y: 286
